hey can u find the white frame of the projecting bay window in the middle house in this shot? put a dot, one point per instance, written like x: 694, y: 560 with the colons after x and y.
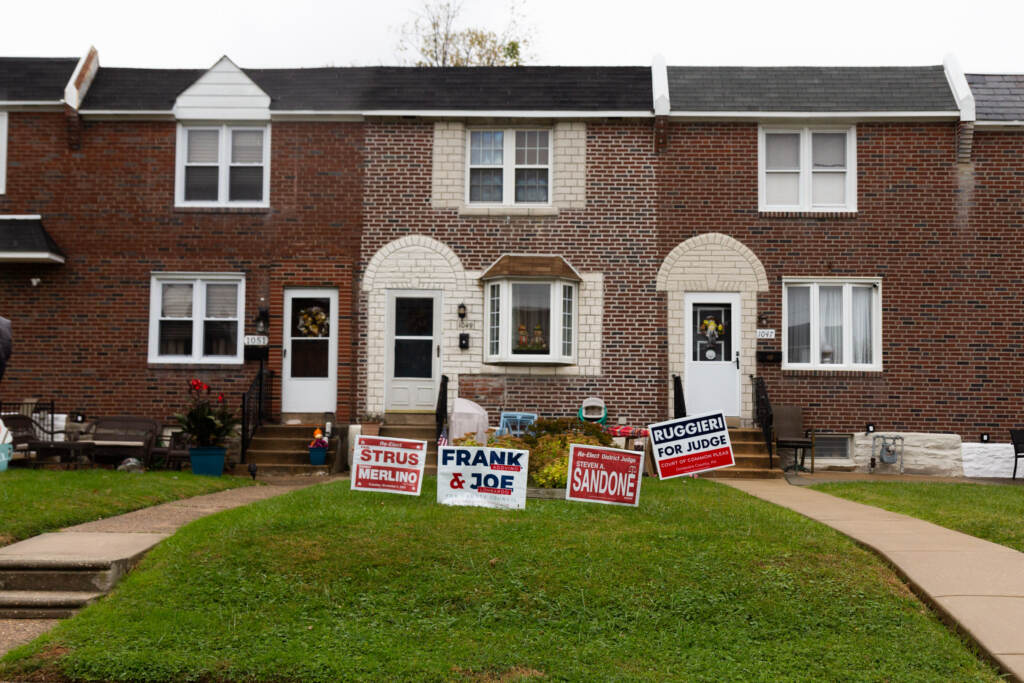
x: 505, y: 355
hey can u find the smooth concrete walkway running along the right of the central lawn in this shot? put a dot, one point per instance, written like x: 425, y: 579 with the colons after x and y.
x: 975, y: 584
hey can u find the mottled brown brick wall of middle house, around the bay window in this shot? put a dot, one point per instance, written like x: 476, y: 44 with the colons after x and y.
x: 614, y: 236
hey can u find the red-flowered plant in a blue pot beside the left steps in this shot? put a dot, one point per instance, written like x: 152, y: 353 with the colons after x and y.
x: 207, y: 423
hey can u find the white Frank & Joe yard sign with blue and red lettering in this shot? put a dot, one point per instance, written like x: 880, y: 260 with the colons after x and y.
x: 483, y: 477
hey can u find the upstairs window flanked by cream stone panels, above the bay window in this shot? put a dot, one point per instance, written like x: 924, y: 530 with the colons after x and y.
x: 509, y: 167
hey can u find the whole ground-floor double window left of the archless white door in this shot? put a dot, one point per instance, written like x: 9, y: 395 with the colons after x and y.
x: 196, y: 318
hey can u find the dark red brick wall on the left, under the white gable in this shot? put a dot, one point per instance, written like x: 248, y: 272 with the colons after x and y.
x: 81, y: 336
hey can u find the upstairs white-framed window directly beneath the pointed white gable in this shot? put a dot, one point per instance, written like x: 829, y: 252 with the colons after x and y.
x: 224, y: 166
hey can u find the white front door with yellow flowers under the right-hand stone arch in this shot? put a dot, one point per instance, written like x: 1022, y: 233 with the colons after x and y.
x: 712, y: 377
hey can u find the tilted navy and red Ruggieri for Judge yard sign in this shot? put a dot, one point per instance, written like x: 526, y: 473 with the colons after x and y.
x: 692, y: 445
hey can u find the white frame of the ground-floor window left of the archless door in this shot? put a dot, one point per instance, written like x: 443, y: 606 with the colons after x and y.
x: 198, y: 281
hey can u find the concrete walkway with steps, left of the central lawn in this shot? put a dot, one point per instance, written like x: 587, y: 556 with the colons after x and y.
x: 120, y: 541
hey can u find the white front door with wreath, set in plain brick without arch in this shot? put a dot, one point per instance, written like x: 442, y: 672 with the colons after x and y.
x: 310, y: 352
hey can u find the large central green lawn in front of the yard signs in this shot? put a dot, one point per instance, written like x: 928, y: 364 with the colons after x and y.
x: 700, y: 583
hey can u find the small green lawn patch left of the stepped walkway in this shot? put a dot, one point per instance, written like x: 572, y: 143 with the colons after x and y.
x: 36, y: 501
